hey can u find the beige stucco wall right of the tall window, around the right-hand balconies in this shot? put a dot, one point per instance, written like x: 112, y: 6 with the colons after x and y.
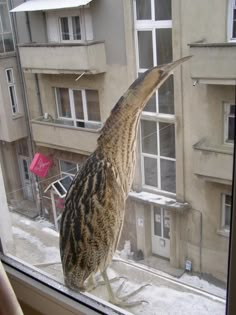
x: 202, y: 116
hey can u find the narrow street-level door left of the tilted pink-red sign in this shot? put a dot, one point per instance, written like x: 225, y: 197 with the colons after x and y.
x: 26, y: 178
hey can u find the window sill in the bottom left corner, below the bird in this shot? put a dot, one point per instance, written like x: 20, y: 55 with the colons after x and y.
x: 42, y: 293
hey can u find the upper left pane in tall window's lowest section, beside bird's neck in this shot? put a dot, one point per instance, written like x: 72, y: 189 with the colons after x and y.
x: 149, y: 137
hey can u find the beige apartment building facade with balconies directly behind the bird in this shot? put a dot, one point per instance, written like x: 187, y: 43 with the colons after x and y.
x: 78, y: 61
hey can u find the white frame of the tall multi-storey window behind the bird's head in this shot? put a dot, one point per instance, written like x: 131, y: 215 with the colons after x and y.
x: 152, y: 25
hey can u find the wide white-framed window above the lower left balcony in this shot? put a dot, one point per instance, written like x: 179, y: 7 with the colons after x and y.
x: 79, y: 108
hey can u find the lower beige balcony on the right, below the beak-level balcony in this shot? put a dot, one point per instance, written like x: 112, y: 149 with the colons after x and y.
x: 213, y: 162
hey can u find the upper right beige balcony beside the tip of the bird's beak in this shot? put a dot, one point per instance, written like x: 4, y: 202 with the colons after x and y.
x: 213, y: 63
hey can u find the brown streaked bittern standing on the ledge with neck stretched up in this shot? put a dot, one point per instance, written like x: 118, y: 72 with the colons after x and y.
x: 93, y: 217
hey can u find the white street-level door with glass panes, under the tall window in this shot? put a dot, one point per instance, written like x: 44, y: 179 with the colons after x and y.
x: 161, y: 232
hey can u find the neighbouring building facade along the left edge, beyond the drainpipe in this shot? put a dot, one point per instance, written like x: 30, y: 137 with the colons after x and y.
x: 15, y: 152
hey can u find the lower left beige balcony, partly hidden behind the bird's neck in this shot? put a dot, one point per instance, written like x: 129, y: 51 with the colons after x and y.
x: 63, y: 137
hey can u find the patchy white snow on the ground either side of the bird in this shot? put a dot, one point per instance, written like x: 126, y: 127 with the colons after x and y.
x: 37, y: 244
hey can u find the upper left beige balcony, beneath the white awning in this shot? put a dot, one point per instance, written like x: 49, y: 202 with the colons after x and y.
x: 57, y: 58
